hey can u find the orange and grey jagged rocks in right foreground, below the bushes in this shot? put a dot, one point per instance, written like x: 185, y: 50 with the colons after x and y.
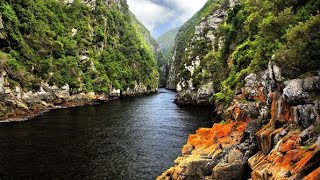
x: 271, y: 131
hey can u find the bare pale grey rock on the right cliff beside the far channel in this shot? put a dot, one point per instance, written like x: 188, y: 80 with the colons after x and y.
x: 188, y: 93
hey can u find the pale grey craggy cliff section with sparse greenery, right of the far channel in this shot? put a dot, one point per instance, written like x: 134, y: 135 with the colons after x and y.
x: 190, y: 69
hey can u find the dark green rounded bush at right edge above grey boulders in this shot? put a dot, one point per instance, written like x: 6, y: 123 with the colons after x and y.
x: 300, y: 53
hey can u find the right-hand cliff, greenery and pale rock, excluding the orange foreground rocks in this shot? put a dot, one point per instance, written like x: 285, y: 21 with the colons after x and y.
x: 227, y: 40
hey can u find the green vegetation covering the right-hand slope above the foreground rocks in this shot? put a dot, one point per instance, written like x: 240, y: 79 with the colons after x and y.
x: 254, y: 33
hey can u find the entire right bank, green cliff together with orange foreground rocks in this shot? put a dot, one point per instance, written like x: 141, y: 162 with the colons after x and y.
x: 258, y: 62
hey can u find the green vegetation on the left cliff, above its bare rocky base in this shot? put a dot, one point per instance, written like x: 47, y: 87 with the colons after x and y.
x: 89, y: 48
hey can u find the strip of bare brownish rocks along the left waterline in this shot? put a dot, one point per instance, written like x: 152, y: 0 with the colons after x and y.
x: 17, y: 104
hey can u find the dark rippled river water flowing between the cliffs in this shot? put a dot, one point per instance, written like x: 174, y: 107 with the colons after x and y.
x: 135, y: 138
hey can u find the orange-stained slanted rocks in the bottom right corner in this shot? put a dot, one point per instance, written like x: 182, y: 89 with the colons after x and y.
x: 287, y: 159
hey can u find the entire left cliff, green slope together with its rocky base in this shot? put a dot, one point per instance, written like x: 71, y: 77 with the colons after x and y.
x: 56, y: 53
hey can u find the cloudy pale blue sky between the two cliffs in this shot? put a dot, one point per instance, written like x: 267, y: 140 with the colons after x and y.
x: 160, y: 16
